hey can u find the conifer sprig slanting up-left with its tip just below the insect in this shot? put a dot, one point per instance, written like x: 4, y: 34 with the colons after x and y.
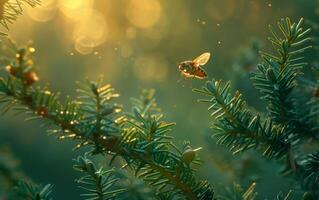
x: 237, y: 127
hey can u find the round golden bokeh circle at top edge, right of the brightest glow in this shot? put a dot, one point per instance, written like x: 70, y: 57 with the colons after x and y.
x: 143, y: 13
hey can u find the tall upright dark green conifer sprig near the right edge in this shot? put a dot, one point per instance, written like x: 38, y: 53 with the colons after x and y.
x: 276, y: 79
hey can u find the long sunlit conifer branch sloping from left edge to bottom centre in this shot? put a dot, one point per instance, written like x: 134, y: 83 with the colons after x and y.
x: 93, y: 120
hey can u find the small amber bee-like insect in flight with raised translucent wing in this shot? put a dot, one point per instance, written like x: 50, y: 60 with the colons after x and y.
x: 193, y: 68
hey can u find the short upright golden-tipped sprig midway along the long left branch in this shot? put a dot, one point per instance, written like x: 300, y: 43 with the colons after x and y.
x: 100, y: 117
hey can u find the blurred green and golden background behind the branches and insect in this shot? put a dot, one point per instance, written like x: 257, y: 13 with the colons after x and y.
x: 138, y: 44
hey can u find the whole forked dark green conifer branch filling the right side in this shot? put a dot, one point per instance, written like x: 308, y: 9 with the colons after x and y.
x: 281, y: 132
